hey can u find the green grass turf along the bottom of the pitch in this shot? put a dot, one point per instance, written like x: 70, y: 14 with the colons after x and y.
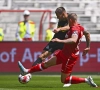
x: 42, y: 82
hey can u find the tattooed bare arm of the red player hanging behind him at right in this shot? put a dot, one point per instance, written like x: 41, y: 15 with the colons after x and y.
x: 87, y: 37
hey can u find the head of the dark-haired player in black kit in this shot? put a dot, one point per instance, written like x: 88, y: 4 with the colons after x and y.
x: 61, y: 13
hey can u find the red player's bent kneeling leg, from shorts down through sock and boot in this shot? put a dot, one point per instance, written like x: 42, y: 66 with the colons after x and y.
x: 66, y: 78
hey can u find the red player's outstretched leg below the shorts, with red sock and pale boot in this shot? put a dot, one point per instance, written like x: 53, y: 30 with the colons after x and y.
x: 38, y: 67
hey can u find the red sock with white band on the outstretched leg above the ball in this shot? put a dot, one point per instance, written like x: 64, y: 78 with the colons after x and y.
x: 36, y: 68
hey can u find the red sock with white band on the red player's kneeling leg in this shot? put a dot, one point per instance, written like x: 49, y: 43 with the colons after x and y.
x: 74, y: 80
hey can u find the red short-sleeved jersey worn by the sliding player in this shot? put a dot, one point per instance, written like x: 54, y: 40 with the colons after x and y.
x: 68, y: 49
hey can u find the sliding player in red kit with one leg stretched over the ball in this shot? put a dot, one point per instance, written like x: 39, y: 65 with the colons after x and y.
x: 68, y: 55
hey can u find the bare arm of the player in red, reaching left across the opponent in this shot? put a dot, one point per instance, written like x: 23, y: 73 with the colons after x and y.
x: 71, y: 40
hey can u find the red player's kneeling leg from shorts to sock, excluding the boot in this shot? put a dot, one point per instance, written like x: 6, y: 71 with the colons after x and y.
x: 67, y: 69
